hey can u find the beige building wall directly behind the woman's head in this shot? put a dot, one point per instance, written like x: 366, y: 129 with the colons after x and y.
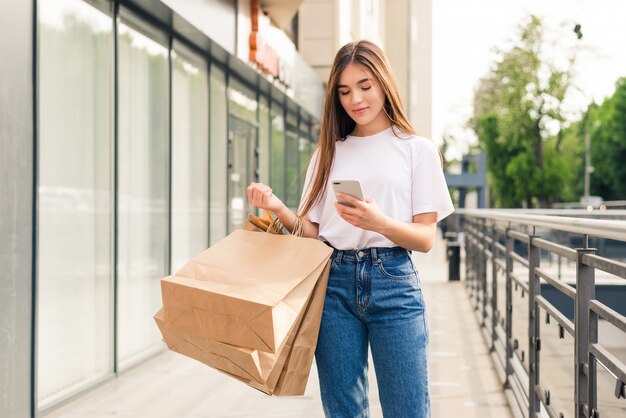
x: 402, y: 27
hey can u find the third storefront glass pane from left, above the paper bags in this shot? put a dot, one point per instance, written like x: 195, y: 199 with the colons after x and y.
x: 190, y: 156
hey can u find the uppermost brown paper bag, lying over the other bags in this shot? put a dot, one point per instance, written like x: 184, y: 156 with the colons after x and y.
x: 241, y: 288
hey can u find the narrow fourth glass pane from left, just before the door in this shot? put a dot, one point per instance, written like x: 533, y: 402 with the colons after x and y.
x: 219, y: 140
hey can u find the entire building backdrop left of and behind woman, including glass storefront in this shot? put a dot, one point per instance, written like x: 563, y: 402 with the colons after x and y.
x: 130, y: 130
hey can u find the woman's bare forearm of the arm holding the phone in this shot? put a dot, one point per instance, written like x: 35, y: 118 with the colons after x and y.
x: 412, y: 236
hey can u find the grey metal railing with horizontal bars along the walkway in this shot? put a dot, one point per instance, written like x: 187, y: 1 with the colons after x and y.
x: 503, y: 256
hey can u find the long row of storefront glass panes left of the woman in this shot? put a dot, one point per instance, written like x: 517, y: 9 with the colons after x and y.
x: 145, y: 149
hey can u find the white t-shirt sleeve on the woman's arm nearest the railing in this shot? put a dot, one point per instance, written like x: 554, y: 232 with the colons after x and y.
x: 429, y: 189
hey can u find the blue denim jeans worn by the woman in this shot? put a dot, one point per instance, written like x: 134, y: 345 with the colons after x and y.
x: 373, y: 296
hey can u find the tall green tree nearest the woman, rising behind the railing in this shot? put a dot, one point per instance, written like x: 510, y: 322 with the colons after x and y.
x: 516, y: 106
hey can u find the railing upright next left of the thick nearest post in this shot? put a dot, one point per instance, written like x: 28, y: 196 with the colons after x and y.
x: 534, y: 344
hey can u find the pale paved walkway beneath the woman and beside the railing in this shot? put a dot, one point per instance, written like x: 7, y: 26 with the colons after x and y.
x: 463, y: 381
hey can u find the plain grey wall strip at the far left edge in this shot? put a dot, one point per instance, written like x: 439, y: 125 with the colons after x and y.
x: 16, y: 207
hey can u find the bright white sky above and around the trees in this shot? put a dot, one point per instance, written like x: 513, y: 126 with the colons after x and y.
x: 465, y: 33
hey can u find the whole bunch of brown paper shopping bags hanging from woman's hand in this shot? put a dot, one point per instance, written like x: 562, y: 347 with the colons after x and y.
x: 213, y: 315
